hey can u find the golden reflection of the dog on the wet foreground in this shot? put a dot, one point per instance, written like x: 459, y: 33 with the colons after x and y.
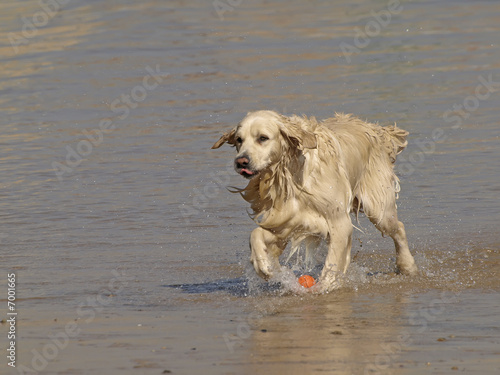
x: 332, y: 334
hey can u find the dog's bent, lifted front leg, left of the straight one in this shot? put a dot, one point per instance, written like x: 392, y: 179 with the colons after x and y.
x: 266, y: 248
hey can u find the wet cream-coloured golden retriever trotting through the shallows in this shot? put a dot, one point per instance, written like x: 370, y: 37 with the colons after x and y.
x: 307, y: 176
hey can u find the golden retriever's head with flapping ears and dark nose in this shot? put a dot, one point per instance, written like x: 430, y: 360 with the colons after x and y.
x: 262, y: 138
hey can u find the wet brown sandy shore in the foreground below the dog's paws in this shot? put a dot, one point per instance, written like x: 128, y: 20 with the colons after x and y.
x: 444, y: 320
